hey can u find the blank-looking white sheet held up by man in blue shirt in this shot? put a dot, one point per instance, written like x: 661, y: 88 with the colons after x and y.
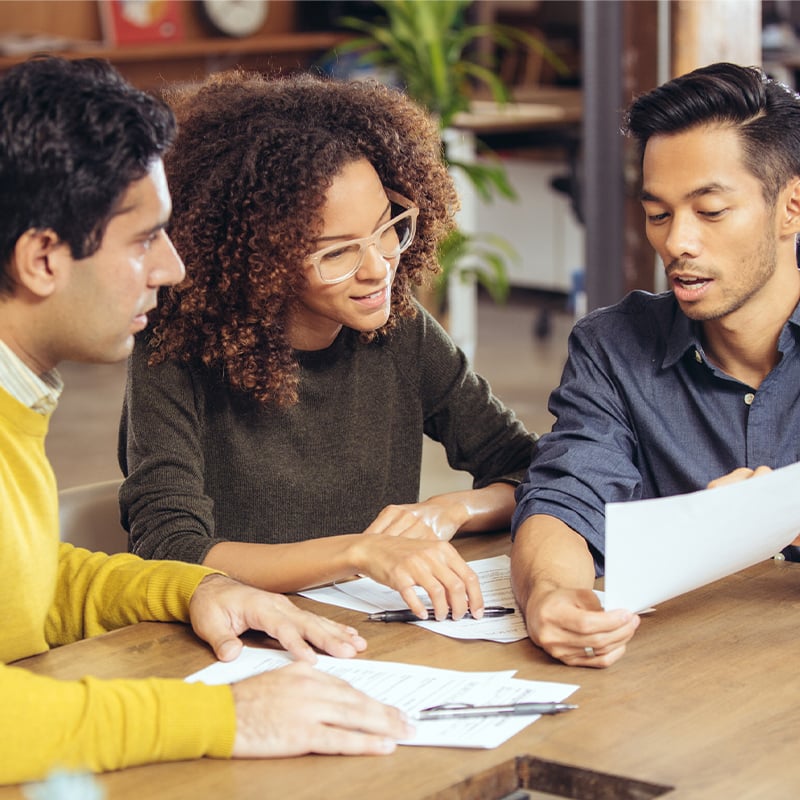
x: 658, y: 549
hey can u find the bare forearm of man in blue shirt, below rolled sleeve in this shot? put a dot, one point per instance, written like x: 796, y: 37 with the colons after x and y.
x: 547, y: 555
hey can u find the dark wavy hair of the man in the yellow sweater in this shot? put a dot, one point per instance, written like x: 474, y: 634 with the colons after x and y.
x: 73, y: 136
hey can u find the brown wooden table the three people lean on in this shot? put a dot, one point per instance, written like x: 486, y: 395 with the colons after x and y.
x: 705, y: 704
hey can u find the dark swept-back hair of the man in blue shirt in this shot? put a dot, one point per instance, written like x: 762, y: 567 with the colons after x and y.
x: 764, y: 113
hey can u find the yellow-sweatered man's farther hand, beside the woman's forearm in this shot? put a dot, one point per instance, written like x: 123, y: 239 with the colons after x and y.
x: 222, y: 608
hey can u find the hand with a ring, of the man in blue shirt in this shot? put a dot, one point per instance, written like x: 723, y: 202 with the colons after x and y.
x: 565, y: 622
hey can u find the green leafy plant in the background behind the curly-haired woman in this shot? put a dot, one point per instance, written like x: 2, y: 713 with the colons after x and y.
x: 433, y: 51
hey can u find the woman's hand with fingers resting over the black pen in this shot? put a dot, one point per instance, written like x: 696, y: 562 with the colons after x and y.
x: 403, y: 563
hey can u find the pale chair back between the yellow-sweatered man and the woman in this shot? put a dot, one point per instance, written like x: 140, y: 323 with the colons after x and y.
x: 89, y: 517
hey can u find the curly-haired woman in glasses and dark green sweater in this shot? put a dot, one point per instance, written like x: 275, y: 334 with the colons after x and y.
x: 275, y: 412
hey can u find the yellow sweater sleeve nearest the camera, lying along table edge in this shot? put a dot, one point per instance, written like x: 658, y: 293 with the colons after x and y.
x: 101, y: 725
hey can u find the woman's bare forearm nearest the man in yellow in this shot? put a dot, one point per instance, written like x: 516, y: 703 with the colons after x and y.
x: 288, y: 567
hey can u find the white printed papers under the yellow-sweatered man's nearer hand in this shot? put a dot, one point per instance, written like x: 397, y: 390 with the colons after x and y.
x: 412, y: 688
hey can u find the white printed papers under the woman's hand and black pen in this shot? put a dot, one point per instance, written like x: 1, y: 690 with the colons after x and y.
x: 494, y: 574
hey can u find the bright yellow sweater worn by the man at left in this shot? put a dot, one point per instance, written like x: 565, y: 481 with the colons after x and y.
x: 53, y: 593
